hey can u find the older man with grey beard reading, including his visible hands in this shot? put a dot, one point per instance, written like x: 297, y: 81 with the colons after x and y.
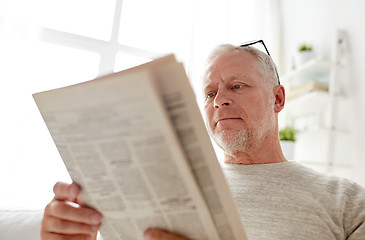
x: 277, y: 199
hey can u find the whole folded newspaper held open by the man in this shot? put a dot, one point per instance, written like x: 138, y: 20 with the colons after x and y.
x: 136, y: 144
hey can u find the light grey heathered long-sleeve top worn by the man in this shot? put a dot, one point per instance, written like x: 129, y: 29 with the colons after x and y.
x: 289, y: 201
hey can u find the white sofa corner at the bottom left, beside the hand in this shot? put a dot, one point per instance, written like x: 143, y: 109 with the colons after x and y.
x: 20, y: 224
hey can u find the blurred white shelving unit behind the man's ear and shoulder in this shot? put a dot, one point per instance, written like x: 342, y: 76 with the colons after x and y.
x: 320, y: 116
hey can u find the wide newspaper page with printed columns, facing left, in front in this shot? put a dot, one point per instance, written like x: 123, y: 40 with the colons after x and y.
x: 118, y: 144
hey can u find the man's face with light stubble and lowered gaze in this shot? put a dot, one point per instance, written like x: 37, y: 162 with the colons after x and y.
x: 238, y: 105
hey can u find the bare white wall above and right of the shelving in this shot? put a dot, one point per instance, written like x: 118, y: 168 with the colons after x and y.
x: 315, y: 22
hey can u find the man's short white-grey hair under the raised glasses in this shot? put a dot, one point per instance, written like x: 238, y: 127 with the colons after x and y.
x: 265, y: 65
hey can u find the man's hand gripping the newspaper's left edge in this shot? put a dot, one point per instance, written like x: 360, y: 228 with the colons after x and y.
x: 63, y: 220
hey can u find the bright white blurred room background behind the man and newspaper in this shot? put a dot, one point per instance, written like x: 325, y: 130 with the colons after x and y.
x: 318, y: 46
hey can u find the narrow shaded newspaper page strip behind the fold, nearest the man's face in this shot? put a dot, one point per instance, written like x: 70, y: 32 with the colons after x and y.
x: 184, y: 113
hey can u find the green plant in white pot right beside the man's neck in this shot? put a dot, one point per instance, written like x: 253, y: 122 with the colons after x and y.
x: 287, y: 141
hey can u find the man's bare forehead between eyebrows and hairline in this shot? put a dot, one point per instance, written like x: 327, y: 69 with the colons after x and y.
x: 228, y: 65
